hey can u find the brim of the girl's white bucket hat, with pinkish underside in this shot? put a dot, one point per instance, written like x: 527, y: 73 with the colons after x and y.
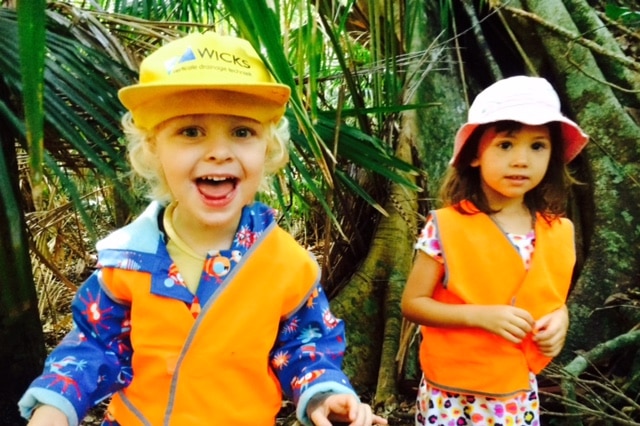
x: 573, y: 136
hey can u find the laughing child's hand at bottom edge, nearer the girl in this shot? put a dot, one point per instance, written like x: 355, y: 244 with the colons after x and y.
x: 342, y: 408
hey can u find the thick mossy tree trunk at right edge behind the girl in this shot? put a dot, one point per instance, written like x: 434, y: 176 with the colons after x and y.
x: 614, y: 156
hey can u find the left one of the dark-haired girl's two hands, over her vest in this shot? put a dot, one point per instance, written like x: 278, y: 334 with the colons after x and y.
x: 508, y: 322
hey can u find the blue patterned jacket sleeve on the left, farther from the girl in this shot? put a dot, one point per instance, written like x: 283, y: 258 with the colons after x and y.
x: 92, y: 361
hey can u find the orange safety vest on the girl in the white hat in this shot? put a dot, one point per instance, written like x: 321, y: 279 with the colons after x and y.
x: 483, y: 267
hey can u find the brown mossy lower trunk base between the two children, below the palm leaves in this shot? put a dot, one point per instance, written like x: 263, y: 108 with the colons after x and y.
x: 370, y: 304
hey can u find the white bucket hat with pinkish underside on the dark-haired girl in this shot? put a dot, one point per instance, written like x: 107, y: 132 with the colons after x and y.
x: 528, y: 100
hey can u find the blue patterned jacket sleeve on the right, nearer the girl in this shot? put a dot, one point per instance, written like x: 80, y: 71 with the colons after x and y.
x: 308, y: 355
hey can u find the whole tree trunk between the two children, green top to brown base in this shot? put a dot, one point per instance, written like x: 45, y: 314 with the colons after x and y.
x: 425, y: 133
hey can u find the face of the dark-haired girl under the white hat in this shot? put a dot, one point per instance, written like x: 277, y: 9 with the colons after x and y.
x: 512, y: 162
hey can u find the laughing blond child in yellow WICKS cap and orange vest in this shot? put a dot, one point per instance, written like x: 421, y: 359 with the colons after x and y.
x: 202, y: 311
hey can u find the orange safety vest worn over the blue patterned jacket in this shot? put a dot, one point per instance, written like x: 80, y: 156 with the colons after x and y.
x: 213, y: 370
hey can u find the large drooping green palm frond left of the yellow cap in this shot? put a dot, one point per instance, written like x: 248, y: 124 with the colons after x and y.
x: 80, y: 103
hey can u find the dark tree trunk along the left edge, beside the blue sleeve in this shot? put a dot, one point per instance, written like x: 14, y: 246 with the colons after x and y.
x: 23, y: 351
